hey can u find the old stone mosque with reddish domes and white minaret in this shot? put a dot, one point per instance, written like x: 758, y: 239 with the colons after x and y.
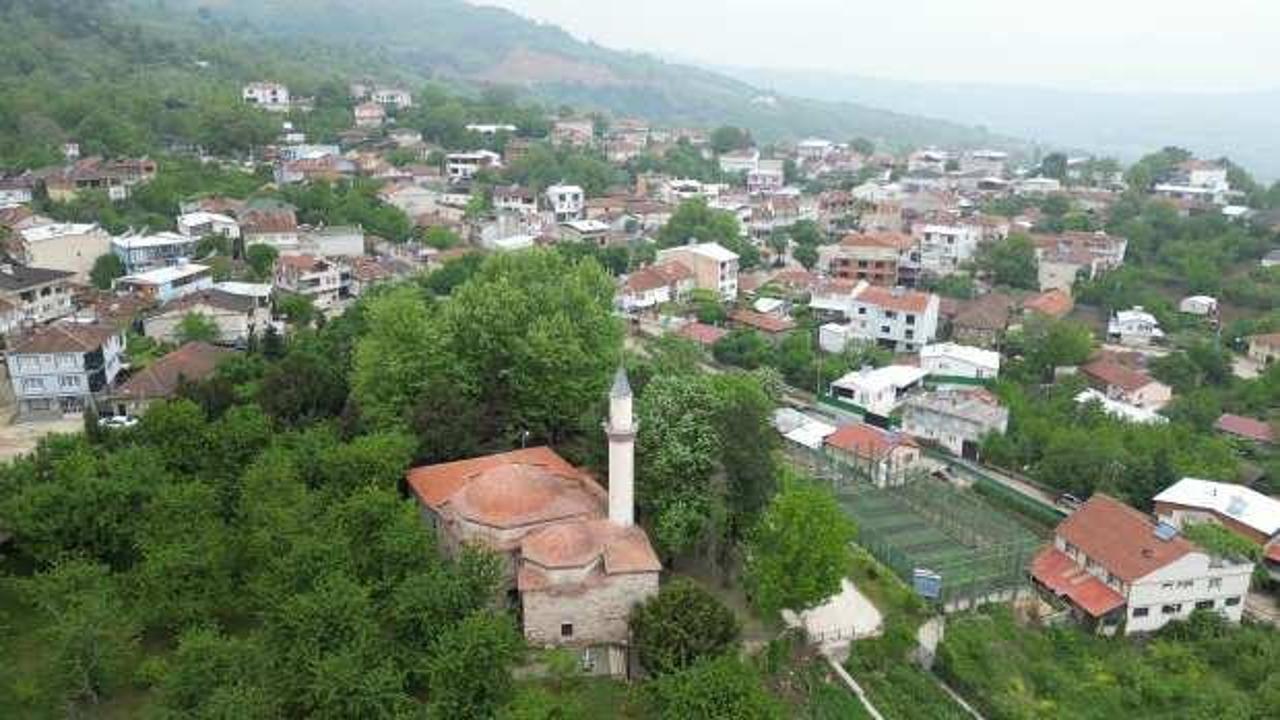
x: 575, y: 563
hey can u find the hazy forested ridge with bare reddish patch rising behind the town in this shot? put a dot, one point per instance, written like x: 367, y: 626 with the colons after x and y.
x: 456, y: 42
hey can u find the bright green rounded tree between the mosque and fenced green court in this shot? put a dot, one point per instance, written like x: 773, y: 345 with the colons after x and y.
x: 799, y: 550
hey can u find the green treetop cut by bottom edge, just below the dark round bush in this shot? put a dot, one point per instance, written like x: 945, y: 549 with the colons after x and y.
x: 721, y: 689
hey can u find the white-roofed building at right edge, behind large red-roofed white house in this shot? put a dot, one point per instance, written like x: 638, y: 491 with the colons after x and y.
x: 1240, y: 509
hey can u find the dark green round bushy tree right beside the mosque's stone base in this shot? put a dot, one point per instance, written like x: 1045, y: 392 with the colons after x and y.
x: 682, y: 626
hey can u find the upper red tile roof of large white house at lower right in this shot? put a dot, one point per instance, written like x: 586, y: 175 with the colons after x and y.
x: 1121, y: 539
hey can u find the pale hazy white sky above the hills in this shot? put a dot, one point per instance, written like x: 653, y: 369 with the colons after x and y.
x: 1124, y: 45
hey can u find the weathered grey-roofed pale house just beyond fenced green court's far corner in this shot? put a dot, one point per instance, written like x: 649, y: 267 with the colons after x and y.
x: 957, y: 420
